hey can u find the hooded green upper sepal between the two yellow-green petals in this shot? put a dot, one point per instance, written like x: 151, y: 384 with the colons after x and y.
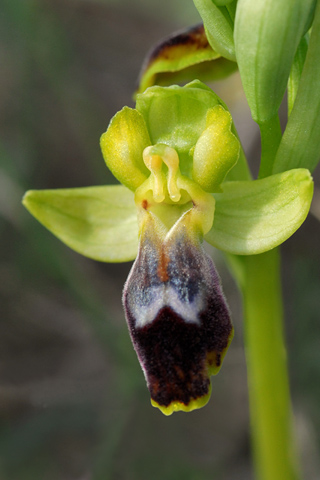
x: 176, y: 116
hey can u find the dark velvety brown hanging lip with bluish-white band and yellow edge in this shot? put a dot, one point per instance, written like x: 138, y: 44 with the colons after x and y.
x: 177, y: 316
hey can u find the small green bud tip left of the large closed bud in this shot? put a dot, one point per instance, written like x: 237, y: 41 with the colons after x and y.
x: 218, y: 25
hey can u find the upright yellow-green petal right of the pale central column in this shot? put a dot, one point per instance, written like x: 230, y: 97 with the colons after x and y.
x: 216, y: 151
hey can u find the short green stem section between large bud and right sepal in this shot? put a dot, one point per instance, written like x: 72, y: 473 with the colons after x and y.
x: 271, y: 134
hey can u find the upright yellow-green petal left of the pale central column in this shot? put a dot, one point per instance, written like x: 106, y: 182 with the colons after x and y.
x: 122, y: 146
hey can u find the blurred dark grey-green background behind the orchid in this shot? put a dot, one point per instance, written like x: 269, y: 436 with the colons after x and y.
x: 73, y: 401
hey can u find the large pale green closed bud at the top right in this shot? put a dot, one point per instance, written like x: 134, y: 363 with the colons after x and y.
x: 267, y: 34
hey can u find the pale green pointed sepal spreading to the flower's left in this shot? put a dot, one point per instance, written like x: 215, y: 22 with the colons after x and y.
x: 98, y: 222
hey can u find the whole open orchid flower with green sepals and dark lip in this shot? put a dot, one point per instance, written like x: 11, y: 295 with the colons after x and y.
x: 184, y: 180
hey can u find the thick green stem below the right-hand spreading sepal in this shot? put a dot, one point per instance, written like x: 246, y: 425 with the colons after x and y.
x: 270, y: 405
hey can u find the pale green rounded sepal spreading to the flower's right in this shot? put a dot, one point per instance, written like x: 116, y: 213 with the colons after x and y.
x: 253, y: 217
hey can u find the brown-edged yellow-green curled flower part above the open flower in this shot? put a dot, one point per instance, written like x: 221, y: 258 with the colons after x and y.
x: 182, y: 57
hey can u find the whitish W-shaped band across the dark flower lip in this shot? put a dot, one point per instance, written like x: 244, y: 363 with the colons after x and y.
x: 166, y: 296
